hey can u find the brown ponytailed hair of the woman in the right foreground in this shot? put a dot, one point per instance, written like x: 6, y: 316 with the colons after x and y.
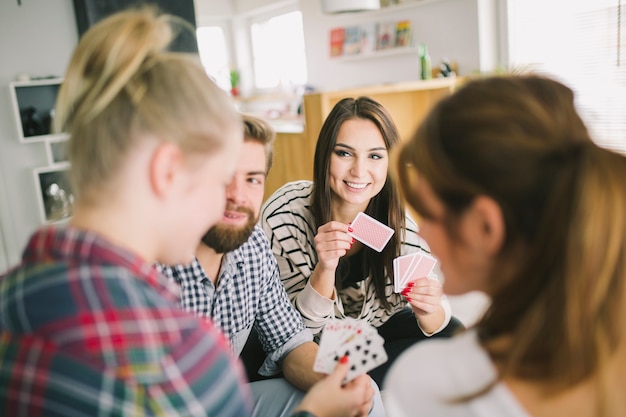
x: 520, y: 141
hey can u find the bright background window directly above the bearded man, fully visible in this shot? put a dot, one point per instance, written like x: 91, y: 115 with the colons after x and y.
x: 278, y: 51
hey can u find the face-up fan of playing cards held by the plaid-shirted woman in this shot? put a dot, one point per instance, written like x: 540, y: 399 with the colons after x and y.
x: 356, y: 339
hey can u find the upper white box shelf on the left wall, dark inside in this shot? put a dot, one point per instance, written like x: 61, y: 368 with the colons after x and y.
x: 33, y: 107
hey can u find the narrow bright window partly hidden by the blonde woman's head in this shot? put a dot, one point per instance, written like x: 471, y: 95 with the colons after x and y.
x: 214, y: 54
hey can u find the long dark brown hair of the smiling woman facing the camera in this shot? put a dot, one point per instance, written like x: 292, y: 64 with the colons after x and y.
x: 385, y: 206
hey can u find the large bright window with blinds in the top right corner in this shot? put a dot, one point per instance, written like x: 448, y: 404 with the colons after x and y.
x: 583, y: 43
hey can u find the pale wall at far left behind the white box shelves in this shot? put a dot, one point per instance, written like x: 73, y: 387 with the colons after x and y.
x: 36, y: 38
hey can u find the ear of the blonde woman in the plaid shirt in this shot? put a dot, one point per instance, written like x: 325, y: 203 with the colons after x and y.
x: 165, y: 165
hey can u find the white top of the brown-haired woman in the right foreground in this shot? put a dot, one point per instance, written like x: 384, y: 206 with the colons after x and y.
x: 426, y: 379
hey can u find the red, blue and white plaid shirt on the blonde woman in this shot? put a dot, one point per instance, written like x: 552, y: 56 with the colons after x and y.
x: 90, y: 329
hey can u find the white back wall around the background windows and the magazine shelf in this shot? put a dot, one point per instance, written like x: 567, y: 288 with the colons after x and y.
x: 465, y: 31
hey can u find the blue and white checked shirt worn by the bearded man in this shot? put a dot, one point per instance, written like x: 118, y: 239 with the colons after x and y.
x: 249, y: 294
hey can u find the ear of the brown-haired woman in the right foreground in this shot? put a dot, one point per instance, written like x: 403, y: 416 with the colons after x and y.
x: 489, y: 224
